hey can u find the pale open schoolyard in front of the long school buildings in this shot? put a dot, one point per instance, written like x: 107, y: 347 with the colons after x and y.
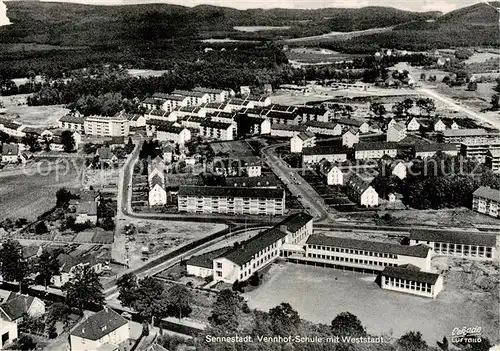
x: 319, y: 294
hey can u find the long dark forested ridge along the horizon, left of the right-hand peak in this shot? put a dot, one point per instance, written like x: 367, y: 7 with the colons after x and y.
x: 77, y: 24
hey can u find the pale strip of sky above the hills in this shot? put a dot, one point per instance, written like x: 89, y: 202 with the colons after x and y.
x: 411, y: 5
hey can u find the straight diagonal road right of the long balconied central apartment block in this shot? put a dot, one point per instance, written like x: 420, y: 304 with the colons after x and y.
x: 309, y: 198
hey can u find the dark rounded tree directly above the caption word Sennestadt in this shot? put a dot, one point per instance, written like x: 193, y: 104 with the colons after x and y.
x: 226, y: 310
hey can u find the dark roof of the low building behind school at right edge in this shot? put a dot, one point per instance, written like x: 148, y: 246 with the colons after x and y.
x: 457, y: 237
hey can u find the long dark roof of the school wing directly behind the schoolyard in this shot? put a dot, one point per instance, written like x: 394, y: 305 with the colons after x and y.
x: 374, y: 246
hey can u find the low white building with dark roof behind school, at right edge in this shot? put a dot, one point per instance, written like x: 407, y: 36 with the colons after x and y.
x: 457, y: 243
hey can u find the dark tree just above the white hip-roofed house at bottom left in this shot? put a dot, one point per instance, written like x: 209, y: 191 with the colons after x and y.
x: 84, y: 289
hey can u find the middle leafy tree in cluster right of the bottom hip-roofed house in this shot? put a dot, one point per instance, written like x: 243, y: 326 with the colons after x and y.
x: 151, y: 301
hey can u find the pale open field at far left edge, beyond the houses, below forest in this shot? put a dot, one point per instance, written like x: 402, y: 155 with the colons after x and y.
x: 36, y: 116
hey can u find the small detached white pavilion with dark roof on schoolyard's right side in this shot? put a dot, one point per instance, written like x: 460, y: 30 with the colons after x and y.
x: 411, y: 280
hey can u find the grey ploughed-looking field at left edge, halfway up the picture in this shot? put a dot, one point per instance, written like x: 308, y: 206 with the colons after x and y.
x: 28, y: 196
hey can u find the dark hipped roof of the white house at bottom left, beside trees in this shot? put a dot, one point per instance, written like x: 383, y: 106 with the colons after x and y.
x: 100, y: 324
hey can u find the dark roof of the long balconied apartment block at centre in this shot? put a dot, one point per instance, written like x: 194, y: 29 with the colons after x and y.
x: 214, y: 191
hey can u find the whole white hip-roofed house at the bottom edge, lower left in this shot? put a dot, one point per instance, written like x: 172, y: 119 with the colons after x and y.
x: 105, y: 327
